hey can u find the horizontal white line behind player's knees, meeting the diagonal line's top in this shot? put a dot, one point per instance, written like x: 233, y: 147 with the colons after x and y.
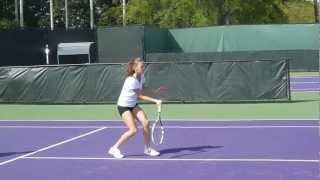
x: 167, y: 127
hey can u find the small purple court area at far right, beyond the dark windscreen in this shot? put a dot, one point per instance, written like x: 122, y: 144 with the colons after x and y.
x: 305, y: 83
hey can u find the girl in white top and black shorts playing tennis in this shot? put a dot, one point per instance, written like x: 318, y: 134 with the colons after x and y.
x: 129, y: 109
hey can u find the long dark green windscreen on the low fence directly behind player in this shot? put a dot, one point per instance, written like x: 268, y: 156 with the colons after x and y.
x: 185, y: 82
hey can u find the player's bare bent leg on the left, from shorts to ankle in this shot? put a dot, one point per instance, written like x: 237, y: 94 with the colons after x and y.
x: 129, y: 120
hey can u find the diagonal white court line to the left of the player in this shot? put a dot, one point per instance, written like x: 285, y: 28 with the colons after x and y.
x: 52, y: 146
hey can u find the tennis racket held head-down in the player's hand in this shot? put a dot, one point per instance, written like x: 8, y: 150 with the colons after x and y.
x: 157, y: 130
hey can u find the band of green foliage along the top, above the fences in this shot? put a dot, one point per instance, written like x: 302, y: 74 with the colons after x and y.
x: 165, y: 13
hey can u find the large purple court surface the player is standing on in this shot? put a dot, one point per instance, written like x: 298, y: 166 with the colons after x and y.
x: 224, y: 150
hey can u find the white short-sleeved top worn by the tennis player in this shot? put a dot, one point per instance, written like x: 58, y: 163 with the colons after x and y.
x: 128, y: 98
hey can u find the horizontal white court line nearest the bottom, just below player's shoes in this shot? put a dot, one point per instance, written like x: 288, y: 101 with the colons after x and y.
x: 172, y: 159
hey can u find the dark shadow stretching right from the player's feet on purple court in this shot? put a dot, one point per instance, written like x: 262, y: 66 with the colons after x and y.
x: 190, y: 150
